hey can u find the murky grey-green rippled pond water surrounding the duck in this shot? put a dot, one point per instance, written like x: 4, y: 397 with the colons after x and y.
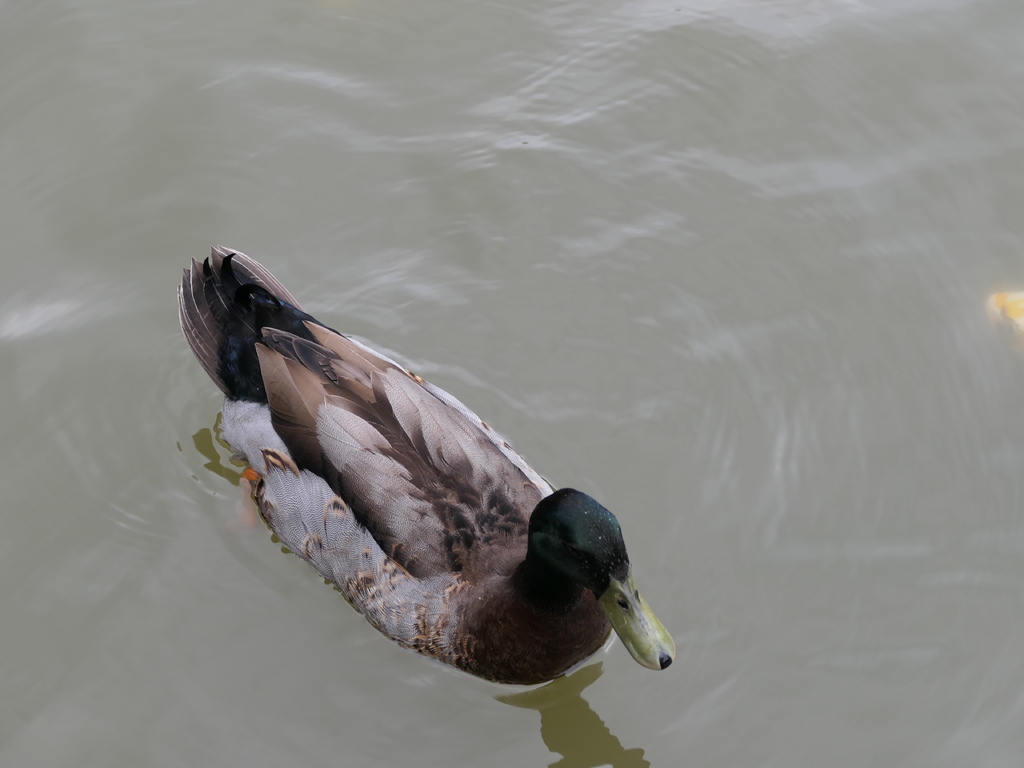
x: 722, y: 265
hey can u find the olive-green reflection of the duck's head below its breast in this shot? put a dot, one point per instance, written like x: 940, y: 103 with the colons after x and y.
x: 571, y: 729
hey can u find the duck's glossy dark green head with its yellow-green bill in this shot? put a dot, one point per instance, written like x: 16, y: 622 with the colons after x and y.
x: 576, y: 541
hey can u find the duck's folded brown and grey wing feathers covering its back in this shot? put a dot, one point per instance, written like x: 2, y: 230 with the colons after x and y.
x: 438, y: 489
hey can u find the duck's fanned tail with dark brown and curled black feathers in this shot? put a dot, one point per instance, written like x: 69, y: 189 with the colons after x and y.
x: 224, y: 305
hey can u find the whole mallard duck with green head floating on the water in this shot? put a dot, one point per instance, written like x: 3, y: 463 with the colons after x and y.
x: 426, y: 520
